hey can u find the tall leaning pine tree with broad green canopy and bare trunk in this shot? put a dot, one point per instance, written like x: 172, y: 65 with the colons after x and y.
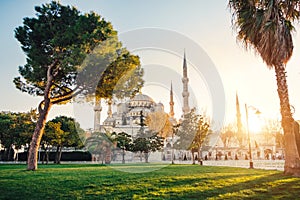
x: 57, y: 42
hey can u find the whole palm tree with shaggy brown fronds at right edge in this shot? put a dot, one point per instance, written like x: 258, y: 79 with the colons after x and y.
x: 266, y: 26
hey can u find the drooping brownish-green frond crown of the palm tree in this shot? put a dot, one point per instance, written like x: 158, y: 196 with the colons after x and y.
x: 266, y: 26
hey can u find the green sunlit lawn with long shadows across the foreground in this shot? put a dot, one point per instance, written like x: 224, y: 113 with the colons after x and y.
x: 70, y: 181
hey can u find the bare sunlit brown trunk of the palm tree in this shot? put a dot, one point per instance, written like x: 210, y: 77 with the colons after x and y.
x: 292, y: 161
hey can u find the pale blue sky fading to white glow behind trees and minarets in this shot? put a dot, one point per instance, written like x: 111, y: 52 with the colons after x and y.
x: 206, y: 23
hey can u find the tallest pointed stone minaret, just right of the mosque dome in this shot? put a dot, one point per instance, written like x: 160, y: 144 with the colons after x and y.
x: 185, y: 93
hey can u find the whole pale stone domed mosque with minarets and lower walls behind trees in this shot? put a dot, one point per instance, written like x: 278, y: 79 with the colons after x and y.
x: 127, y: 118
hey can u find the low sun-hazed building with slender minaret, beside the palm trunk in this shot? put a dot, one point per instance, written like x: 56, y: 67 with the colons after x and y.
x: 264, y: 145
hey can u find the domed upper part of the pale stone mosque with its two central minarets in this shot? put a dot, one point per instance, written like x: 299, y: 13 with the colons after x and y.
x: 127, y: 117
